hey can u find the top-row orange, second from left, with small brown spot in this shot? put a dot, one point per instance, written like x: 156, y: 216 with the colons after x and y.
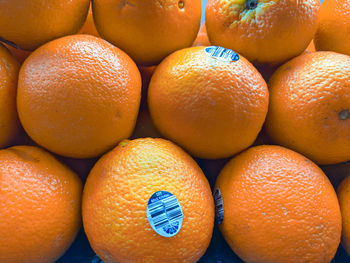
x: 148, y: 30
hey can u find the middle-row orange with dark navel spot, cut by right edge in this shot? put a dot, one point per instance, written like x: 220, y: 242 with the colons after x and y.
x: 309, y: 106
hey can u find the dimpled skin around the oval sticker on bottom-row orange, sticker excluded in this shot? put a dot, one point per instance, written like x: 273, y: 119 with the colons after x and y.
x: 115, y: 201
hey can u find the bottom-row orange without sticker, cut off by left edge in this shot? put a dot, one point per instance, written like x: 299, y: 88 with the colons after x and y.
x: 40, y: 206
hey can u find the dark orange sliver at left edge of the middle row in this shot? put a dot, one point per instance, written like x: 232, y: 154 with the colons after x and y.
x: 9, y: 124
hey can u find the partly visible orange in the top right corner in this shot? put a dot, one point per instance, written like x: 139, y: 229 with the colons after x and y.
x: 333, y: 31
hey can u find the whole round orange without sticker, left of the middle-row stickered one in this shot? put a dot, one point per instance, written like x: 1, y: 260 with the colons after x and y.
x: 78, y: 96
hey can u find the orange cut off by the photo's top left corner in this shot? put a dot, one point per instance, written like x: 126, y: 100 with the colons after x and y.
x: 29, y: 24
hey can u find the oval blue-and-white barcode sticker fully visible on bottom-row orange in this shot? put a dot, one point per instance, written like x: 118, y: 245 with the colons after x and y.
x: 164, y: 213
